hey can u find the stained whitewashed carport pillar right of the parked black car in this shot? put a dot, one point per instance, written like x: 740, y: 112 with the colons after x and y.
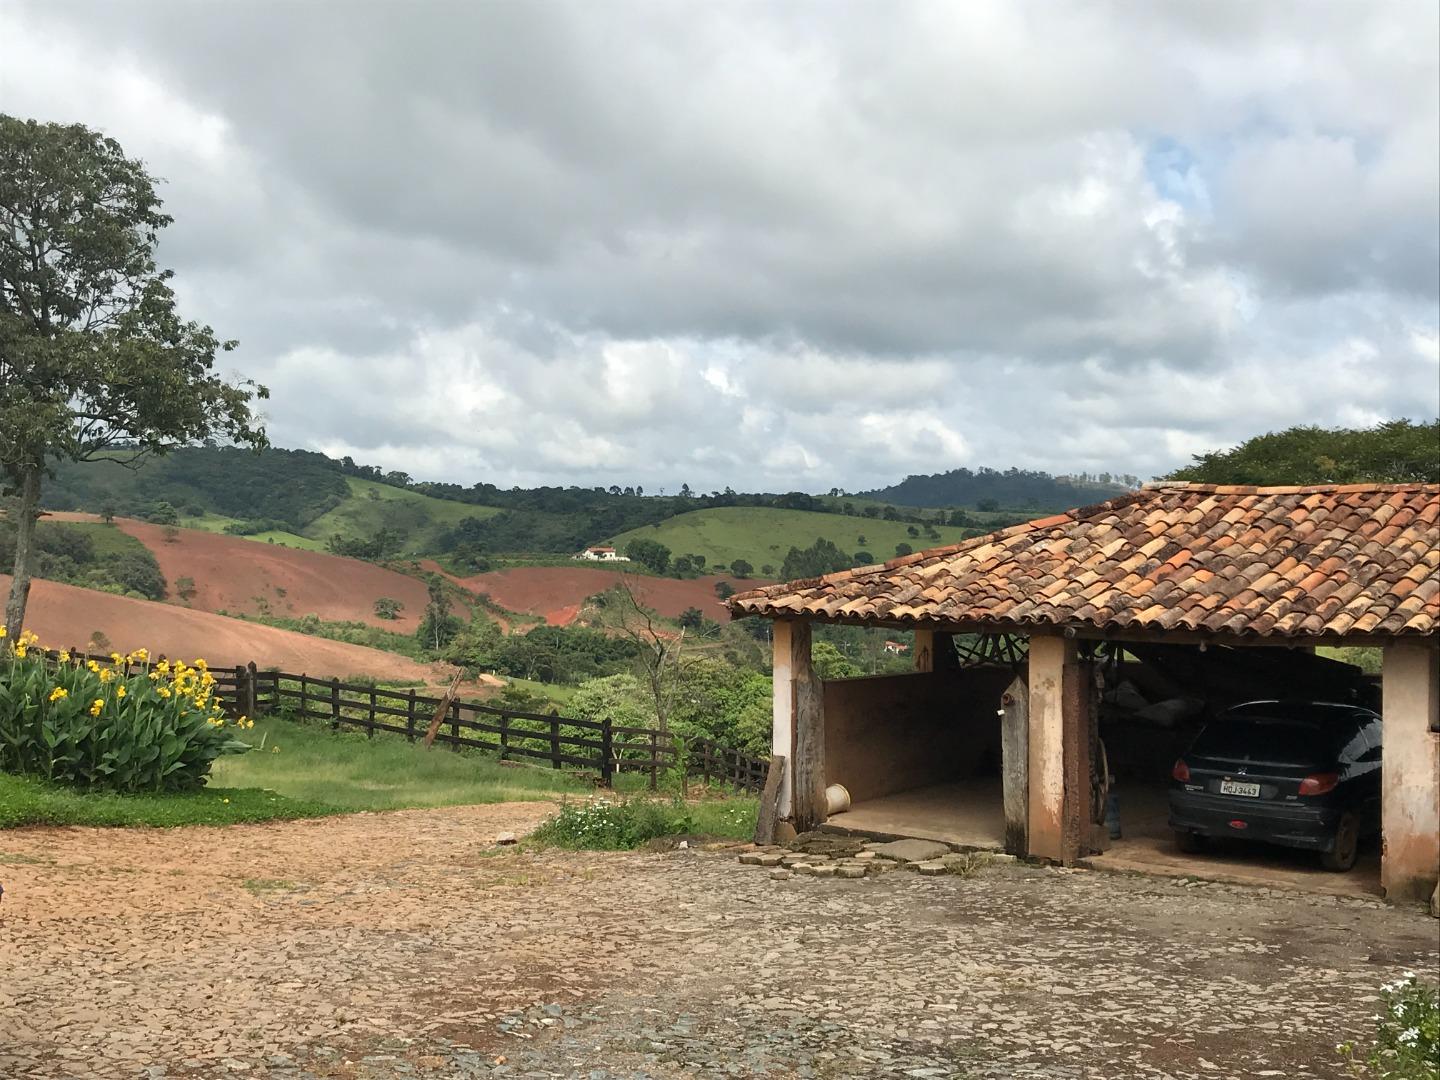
x: 1410, y: 797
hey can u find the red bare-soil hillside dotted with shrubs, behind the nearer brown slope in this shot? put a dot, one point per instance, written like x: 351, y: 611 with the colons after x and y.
x: 244, y: 577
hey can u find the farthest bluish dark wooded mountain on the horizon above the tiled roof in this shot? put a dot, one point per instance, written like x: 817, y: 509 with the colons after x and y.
x: 986, y: 489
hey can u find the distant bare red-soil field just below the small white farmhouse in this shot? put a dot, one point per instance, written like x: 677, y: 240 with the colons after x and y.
x: 558, y: 593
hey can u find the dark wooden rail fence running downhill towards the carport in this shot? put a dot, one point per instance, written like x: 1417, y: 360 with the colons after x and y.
x: 593, y: 747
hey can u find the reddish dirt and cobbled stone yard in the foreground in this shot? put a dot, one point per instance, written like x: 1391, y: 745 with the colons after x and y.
x: 411, y: 945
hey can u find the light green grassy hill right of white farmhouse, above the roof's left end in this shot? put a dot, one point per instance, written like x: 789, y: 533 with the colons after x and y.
x: 762, y: 536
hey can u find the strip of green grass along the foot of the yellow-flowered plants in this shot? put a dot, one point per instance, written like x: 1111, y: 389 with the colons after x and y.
x: 30, y: 801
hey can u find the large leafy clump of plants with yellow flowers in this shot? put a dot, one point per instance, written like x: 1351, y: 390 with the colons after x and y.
x: 97, y: 726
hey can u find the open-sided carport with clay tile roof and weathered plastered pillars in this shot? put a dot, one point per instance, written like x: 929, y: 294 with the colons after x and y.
x: 1170, y: 565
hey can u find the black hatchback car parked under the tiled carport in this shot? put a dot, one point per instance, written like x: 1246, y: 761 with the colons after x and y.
x: 1300, y: 774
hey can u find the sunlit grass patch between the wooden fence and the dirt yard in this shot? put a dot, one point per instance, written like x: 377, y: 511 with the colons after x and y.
x: 349, y: 771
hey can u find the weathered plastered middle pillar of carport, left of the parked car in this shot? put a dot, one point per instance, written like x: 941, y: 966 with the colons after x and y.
x: 1046, y: 761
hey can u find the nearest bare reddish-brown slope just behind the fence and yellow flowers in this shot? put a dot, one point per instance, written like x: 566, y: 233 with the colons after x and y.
x: 67, y: 617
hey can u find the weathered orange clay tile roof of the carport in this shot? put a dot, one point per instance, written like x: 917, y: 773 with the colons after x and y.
x: 1241, y: 561
